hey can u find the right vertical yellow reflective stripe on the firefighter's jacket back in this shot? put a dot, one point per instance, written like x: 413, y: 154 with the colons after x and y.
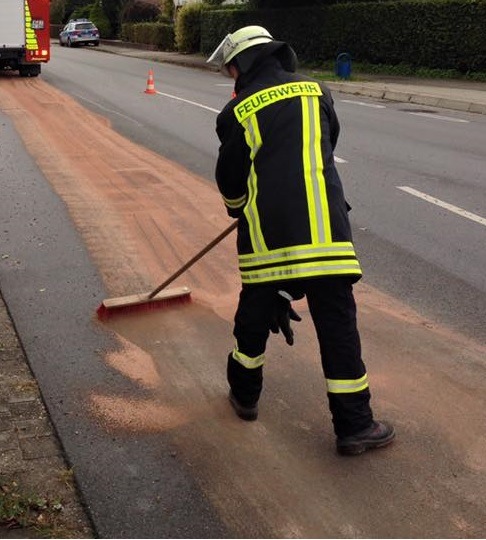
x: 320, y: 221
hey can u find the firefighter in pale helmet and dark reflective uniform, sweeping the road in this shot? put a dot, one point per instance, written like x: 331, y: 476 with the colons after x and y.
x: 276, y: 174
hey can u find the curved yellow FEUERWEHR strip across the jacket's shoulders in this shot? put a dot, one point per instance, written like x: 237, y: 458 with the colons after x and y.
x: 259, y: 100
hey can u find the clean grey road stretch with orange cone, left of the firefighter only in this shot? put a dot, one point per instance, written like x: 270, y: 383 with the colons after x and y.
x: 114, y: 86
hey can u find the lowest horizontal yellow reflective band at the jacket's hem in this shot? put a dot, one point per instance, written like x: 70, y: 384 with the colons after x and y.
x: 302, y: 270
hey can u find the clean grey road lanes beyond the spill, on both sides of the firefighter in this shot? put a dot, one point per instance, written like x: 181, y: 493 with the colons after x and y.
x: 402, y: 165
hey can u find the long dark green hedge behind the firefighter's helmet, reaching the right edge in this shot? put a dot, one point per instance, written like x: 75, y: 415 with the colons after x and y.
x: 447, y: 34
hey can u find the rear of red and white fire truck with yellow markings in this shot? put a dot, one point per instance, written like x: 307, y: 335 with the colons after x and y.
x: 24, y: 35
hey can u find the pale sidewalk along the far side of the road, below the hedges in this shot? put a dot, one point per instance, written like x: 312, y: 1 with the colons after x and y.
x: 459, y: 95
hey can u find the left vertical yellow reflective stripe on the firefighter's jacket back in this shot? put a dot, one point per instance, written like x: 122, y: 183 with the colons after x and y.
x: 254, y: 141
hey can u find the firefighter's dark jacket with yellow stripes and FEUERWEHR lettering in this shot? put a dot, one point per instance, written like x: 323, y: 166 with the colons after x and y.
x: 276, y: 173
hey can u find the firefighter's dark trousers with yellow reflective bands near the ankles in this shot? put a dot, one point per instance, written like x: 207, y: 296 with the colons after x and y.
x: 333, y: 311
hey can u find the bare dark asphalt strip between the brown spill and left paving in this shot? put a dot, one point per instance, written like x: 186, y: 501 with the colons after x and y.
x: 52, y: 289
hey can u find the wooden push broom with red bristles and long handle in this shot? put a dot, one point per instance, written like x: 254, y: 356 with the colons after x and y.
x: 159, y: 297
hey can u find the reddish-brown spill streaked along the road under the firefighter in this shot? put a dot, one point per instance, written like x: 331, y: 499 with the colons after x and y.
x: 141, y: 217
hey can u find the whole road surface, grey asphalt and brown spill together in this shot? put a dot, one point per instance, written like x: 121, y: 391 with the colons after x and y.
x: 157, y: 452
